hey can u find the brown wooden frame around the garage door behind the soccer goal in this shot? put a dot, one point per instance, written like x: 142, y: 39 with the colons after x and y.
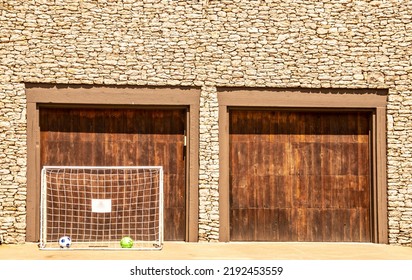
x: 109, y: 97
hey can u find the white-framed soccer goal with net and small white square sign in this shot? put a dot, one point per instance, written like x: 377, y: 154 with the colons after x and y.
x: 97, y: 207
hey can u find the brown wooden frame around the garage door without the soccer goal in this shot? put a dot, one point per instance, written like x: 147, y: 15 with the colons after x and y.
x: 319, y: 99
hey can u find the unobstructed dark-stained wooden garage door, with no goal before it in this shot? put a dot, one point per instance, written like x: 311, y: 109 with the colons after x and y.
x: 299, y: 176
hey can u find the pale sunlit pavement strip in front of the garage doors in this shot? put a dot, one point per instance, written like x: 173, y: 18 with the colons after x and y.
x: 221, y: 251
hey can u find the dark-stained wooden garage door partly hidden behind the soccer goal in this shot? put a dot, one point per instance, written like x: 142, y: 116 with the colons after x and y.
x: 122, y: 137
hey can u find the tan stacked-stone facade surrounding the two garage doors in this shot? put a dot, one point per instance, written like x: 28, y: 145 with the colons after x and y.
x: 206, y: 44
